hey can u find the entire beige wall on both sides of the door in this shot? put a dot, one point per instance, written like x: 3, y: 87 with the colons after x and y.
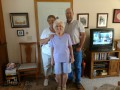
x: 79, y: 6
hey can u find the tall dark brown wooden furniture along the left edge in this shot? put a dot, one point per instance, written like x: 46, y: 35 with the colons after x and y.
x: 3, y: 46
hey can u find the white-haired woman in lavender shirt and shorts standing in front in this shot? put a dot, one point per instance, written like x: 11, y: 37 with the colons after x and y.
x: 62, y: 54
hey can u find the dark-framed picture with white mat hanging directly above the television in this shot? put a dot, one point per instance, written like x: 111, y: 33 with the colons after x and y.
x: 102, y: 20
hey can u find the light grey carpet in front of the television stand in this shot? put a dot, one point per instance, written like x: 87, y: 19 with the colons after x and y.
x: 91, y: 84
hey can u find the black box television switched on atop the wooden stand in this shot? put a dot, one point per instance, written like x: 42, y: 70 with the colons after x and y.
x: 101, y: 39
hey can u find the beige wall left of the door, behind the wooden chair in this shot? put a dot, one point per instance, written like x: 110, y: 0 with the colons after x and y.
x: 15, y: 6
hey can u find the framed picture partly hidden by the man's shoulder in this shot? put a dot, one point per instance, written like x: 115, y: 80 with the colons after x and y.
x: 84, y: 19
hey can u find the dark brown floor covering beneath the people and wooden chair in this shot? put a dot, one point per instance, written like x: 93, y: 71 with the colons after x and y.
x: 32, y: 84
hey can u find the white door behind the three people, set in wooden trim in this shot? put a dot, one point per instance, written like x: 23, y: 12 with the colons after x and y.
x: 50, y: 8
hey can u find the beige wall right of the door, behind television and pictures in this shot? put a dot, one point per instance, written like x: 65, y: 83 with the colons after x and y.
x: 98, y: 6
